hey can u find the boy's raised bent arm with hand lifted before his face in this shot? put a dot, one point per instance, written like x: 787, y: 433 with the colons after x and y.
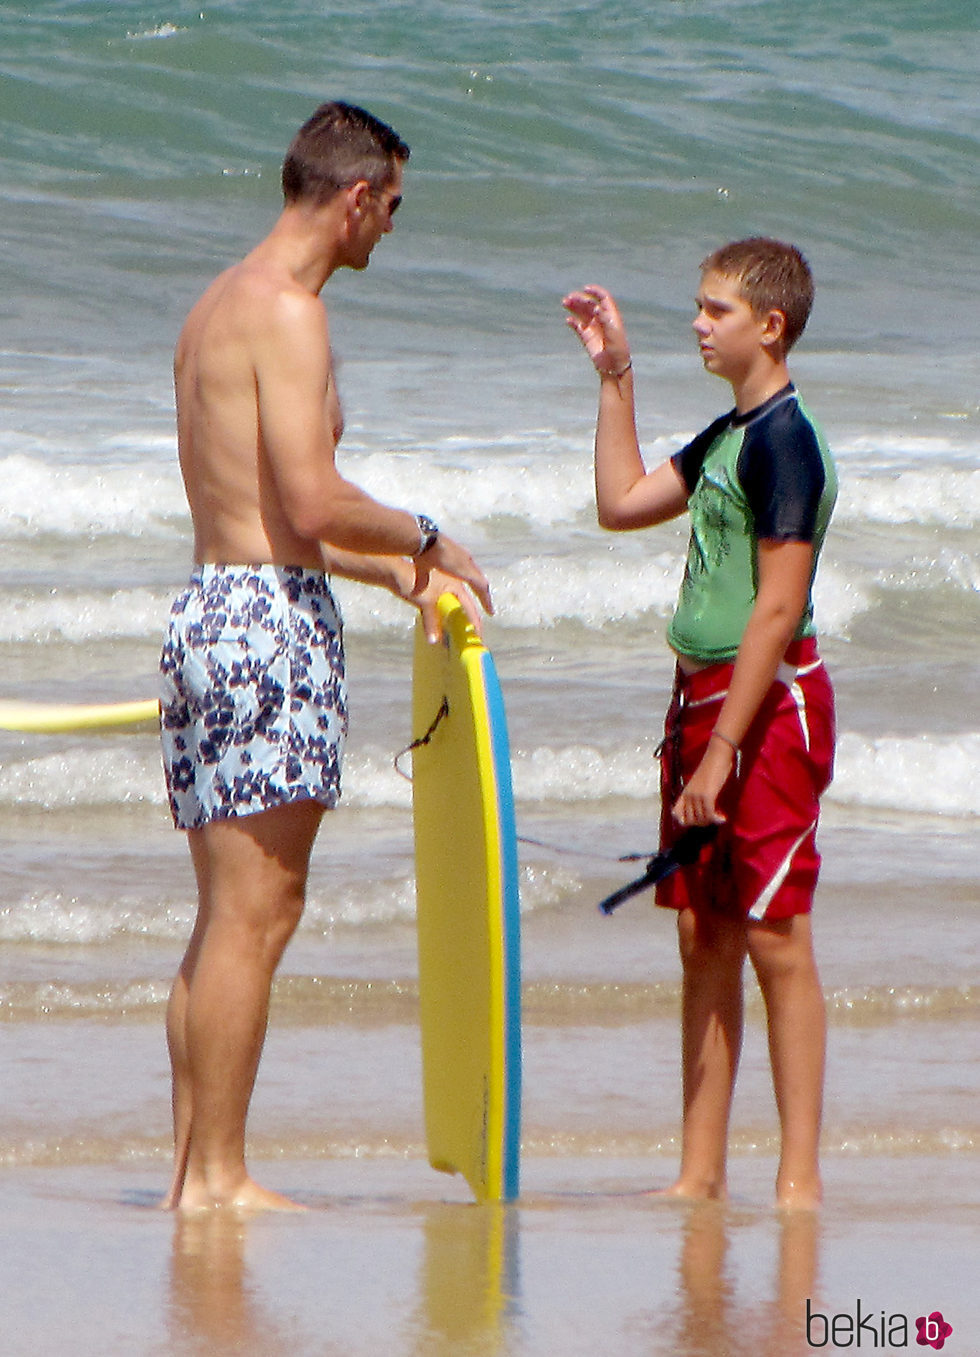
x: 626, y: 495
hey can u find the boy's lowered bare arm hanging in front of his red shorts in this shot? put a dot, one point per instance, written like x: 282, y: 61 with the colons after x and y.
x: 784, y: 586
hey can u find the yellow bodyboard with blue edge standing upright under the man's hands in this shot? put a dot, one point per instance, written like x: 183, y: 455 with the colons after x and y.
x: 469, y: 926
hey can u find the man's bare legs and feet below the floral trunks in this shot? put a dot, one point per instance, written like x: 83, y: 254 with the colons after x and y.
x: 252, y: 884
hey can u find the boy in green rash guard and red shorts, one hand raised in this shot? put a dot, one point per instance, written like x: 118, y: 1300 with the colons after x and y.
x: 750, y: 733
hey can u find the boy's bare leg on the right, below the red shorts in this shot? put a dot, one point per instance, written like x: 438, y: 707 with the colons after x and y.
x: 783, y: 955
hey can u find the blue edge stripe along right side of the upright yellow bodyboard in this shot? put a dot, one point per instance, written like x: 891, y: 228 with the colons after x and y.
x: 511, y: 925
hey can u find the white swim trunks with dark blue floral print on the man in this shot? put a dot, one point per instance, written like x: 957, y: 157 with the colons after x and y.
x: 253, y: 695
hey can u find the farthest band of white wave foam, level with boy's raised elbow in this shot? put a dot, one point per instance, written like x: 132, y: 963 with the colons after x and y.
x: 546, y: 486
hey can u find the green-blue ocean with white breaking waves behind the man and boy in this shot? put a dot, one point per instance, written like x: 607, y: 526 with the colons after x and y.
x: 552, y: 149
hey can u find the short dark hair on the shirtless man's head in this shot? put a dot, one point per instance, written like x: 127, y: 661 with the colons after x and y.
x: 336, y: 149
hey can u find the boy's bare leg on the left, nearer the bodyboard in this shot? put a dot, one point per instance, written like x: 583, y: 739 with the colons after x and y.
x: 713, y: 955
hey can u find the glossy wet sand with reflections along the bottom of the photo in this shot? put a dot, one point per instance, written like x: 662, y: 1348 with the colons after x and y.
x: 393, y: 1259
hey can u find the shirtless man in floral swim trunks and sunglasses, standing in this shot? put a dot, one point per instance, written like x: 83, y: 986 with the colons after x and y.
x: 253, y: 689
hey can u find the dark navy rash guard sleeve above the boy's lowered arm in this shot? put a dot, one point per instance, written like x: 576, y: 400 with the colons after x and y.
x: 783, y: 474
